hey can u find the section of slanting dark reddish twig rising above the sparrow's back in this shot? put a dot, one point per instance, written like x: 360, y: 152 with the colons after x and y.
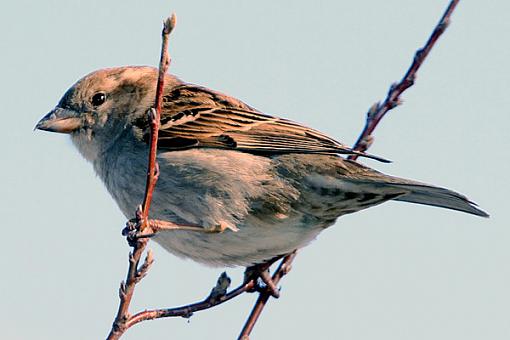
x: 378, y: 110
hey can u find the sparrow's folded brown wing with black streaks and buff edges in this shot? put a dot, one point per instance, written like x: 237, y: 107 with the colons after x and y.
x: 194, y: 117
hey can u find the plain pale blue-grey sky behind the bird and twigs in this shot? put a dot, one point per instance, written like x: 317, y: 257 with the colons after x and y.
x: 397, y: 271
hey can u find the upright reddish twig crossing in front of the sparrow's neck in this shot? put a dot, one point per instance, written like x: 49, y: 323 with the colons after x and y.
x: 136, y: 273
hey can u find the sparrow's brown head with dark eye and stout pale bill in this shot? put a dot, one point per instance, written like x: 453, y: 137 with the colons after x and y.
x: 102, y: 105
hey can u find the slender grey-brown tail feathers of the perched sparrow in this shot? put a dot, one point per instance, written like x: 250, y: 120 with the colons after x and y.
x: 439, y: 197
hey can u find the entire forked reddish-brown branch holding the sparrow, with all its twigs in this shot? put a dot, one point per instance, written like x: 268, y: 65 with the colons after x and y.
x: 219, y: 294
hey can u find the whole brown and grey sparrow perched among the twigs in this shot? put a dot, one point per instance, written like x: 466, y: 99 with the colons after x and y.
x: 273, y: 183
